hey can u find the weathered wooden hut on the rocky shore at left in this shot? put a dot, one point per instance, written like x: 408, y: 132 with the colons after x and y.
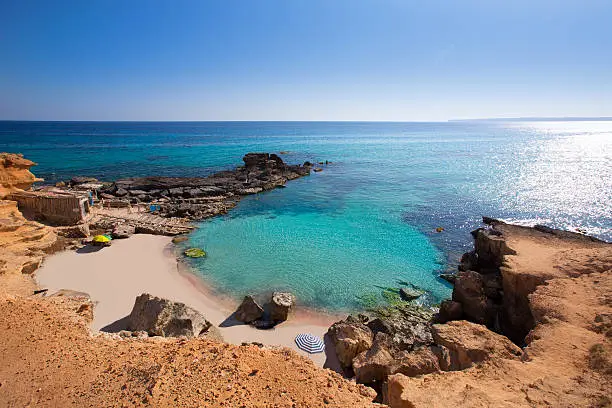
x: 54, y: 207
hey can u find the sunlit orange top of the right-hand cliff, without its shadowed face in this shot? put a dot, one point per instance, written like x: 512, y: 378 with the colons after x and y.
x: 566, y: 283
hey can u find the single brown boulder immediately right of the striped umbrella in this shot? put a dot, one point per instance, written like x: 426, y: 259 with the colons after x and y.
x: 350, y: 337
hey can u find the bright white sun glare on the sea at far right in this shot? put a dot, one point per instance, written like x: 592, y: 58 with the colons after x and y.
x: 571, y: 169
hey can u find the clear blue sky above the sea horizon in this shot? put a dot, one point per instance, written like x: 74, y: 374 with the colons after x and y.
x: 304, y: 59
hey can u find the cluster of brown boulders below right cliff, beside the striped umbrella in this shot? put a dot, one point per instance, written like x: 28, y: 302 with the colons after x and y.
x: 454, y: 346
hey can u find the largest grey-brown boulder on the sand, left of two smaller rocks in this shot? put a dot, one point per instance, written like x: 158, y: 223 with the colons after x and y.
x: 163, y: 317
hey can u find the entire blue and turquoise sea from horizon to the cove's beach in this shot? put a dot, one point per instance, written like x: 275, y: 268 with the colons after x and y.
x: 367, y: 222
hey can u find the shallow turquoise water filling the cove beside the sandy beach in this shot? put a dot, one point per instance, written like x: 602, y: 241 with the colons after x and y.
x: 335, y: 252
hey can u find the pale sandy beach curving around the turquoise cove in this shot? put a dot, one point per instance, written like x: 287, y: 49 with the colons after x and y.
x: 116, y: 275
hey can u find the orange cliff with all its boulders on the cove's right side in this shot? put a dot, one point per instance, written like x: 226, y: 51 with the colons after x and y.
x: 494, y: 327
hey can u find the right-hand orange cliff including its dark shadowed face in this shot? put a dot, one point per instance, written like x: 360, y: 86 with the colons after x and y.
x: 552, y: 286
